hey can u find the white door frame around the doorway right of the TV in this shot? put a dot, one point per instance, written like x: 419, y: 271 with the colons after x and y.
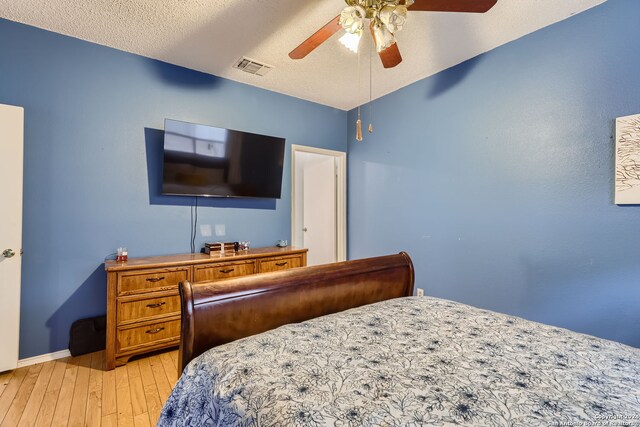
x: 341, y: 195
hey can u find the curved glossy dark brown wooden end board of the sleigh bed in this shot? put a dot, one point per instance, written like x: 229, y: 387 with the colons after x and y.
x: 215, y: 313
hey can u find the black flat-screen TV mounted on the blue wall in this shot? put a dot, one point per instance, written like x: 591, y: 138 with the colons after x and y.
x: 208, y: 161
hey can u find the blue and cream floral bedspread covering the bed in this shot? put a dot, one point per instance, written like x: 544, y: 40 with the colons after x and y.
x: 411, y: 362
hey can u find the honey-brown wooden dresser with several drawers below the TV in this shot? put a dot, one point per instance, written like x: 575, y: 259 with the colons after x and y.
x: 143, y: 304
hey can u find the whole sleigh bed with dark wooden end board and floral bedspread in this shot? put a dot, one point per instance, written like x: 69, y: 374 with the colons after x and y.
x: 346, y: 345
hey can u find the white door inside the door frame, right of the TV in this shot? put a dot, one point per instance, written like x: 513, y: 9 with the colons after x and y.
x: 319, y: 209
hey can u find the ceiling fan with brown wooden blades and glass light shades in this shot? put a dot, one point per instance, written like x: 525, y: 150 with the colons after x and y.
x: 386, y: 17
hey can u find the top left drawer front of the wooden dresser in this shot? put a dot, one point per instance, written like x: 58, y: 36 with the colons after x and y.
x: 145, y: 280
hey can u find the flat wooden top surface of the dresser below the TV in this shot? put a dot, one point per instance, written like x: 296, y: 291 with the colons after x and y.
x: 199, y: 258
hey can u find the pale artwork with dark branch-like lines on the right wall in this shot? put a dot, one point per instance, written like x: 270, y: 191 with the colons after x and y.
x: 627, y: 180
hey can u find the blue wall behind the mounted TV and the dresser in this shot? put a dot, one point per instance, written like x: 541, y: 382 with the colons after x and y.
x: 94, y: 118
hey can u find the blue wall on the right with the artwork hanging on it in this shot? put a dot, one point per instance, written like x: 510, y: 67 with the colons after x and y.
x: 497, y: 177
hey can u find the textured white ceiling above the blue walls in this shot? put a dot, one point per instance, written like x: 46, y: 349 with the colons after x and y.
x: 210, y: 35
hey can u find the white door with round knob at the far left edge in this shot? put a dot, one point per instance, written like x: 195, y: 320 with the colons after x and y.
x: 11, y: 158
